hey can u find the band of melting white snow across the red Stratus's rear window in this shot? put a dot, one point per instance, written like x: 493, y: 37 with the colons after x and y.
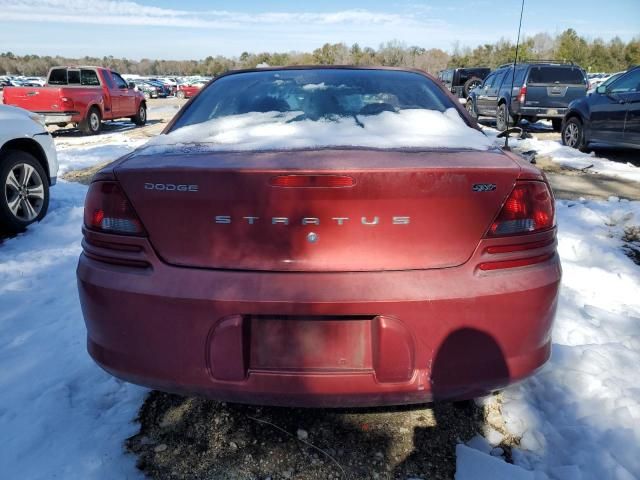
x: 279, y: 131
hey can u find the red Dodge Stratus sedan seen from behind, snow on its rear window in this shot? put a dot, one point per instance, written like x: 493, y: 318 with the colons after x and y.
x: 320, y: 237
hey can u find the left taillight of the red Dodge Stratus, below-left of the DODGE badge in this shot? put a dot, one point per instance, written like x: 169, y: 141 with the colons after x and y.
x: 107, y: 209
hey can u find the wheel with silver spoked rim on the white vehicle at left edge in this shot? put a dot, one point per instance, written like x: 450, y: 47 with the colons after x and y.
x: 28, y: 185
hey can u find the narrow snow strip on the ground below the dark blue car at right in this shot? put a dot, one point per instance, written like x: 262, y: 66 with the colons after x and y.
x: 572, y: 158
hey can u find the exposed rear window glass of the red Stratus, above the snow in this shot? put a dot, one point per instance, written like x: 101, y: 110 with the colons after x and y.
x: 316, y: 94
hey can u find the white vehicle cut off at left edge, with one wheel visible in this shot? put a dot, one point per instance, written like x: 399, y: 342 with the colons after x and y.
x: 28, y: 167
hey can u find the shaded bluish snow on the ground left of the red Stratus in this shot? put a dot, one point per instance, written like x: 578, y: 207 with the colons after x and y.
x: 60, y: 415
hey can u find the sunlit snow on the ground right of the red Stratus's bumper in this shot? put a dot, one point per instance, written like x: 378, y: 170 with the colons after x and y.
x: 580, y: 417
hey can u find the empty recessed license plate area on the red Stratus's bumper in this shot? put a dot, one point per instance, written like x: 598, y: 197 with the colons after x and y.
x: 310, y: 343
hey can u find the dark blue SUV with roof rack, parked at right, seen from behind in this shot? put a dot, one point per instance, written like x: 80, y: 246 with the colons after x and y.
x: 541, y: 89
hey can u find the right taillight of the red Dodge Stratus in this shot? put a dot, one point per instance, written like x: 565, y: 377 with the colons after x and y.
x: 528, y: 209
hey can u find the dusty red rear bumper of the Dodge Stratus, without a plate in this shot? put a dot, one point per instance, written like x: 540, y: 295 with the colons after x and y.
x: 318, y: 339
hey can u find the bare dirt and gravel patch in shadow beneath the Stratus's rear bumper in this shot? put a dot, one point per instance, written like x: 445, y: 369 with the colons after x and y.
x: 186, y: 438
